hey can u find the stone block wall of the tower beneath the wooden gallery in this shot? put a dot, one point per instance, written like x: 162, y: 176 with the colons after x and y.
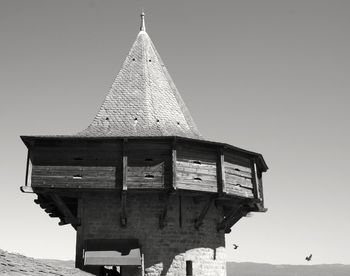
x: 166, y: 250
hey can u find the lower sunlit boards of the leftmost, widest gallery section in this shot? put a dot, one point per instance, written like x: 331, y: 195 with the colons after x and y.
x: 73, y: 177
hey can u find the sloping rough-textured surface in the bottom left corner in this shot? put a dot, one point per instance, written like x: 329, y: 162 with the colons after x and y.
x: 16, y: 264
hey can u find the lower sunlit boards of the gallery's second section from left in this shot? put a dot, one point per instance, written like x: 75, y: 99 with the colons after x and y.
x: 146, y: 177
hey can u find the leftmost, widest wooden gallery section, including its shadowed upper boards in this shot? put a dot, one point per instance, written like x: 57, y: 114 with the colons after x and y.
x: 85, y: 165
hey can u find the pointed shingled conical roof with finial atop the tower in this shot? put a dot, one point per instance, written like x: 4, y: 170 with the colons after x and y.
x: 143, y: 100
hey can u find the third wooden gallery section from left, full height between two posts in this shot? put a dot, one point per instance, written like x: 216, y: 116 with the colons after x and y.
x: 196, y: 169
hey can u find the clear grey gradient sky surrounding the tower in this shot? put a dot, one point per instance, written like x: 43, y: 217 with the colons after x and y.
x: 267, y: 76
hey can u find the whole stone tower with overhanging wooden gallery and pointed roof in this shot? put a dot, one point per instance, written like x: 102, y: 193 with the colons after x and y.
x: 143, y: 189
